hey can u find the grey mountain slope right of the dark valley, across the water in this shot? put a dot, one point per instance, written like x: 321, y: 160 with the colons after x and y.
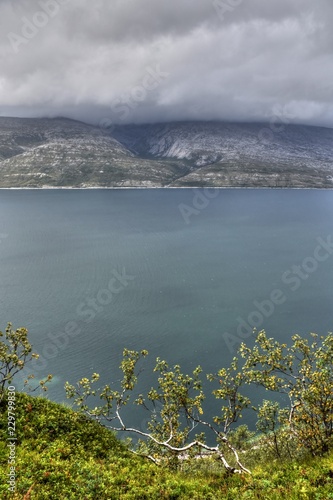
x: 245, y: 154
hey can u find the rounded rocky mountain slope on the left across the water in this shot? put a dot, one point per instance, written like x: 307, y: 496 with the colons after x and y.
x: 61, y: 152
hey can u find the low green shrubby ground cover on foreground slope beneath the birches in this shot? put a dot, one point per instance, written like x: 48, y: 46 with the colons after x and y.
x: 62, y: 455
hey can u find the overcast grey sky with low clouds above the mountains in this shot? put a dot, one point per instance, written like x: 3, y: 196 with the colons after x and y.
x: 123, y: 61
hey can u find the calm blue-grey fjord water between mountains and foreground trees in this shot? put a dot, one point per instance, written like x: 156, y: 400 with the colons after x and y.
x: 184, y: 273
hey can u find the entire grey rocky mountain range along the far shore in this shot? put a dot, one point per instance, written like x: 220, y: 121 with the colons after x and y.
x: 59, y: 152
